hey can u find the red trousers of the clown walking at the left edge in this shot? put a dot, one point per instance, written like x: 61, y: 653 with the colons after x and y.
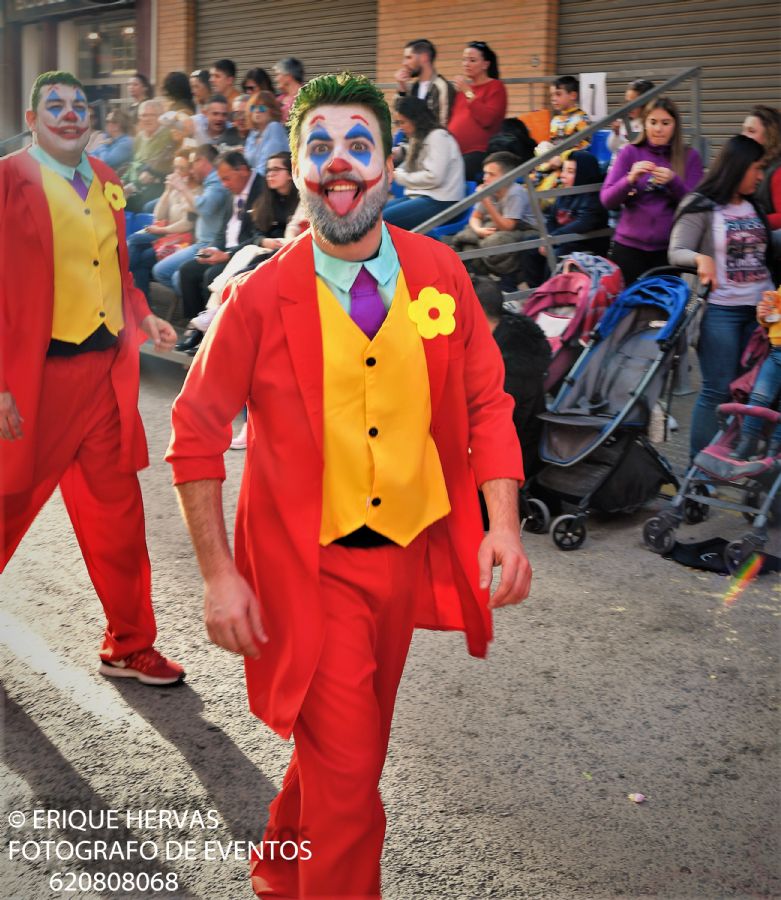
x: 78, y: 448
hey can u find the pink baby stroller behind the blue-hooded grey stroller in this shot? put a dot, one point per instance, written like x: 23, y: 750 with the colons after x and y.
x: 569, y: 305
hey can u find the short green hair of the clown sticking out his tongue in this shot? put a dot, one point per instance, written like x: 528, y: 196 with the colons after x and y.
x: 344, y: 89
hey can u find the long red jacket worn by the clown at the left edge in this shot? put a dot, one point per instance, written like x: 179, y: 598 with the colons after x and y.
x: 26, y: 309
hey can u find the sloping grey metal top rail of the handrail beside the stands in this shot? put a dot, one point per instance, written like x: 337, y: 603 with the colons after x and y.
x: 572, y: 141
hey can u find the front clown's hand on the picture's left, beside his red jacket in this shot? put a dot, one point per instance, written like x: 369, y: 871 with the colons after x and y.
x: 232, y: 614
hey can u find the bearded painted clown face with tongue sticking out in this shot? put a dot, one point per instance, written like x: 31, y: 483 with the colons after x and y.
x: 342, y: 173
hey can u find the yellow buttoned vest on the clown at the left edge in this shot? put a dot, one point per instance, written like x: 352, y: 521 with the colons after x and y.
x: 87, y: 281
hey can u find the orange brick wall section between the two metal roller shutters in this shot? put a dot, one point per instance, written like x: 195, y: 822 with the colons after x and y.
x: 523, y: 33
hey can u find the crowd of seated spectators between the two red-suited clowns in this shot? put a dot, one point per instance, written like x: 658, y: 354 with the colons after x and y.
x: 195, y: 155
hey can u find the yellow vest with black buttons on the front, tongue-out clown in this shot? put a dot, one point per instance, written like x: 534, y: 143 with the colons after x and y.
x: 382, y: 467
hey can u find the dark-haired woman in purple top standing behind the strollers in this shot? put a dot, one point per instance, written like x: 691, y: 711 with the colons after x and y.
x: 647, y: 182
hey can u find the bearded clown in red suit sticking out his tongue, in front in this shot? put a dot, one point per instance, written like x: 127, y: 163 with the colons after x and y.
x: 376, y: 409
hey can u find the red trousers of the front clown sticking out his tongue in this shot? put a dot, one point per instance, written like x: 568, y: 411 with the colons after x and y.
x: 330, y: 802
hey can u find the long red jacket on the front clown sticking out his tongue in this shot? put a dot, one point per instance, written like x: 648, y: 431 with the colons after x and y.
x: 266, y: 345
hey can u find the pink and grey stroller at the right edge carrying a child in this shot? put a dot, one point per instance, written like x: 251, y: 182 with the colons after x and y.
x: 715, y: 479
